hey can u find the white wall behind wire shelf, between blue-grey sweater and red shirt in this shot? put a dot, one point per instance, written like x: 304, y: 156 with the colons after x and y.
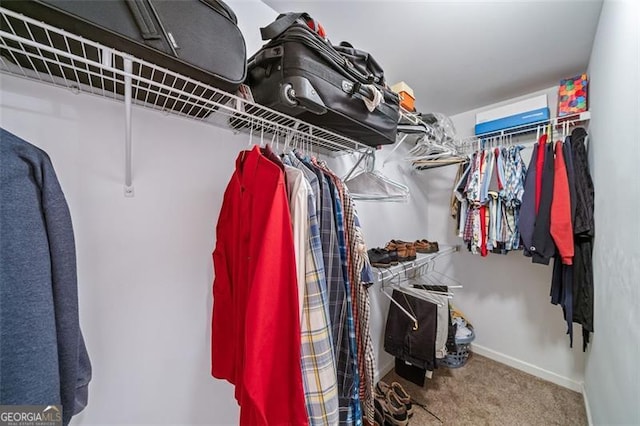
x: 144, y: 263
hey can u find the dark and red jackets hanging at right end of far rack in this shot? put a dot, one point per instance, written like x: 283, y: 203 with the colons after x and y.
x: 557, y: 189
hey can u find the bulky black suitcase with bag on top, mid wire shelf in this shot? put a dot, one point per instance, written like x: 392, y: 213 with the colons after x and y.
x: 301, y: 74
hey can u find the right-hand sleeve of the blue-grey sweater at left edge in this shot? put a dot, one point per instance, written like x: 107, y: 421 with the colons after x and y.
x: 73, y: 360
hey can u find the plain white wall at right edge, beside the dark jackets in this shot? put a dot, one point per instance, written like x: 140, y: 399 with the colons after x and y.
x: 612, y: 375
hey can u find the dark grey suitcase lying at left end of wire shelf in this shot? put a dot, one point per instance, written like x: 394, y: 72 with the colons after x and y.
x: 199, y: 39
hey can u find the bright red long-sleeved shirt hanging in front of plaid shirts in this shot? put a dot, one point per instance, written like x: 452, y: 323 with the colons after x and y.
x: 255, y: 340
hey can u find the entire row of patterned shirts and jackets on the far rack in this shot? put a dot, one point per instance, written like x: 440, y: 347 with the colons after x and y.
x: 555, y: 197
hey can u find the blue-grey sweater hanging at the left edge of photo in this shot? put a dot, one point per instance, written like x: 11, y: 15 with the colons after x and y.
x: 44, y: 357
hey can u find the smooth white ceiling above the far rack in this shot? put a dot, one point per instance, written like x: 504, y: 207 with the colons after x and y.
x: 458, y: 56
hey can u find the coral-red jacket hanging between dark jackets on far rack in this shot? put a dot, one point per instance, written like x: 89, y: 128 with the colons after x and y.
x: 561, y: 226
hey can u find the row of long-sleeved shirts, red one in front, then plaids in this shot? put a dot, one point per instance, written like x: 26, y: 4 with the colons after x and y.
x: 299, y: 320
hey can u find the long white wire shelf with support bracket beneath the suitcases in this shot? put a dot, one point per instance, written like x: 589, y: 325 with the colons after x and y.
x: 38, y: 51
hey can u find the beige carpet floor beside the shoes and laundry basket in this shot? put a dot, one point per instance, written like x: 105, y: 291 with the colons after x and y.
x: 485, y: 392
